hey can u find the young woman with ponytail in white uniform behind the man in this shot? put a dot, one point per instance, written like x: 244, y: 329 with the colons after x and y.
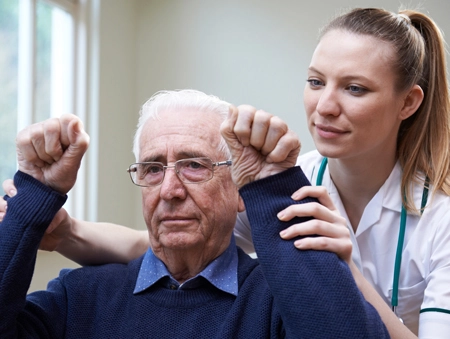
x: 378, y: 109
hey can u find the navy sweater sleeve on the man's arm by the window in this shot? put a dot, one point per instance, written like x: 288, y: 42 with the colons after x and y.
x: 29, y: 214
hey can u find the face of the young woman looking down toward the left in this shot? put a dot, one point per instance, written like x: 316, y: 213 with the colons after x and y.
x: 350, y: 99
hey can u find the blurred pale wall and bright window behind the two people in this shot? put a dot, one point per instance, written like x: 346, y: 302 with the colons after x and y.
x: 102, y: 59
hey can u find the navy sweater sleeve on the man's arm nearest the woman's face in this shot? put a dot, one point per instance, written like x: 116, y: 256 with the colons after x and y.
x: 314, y: 290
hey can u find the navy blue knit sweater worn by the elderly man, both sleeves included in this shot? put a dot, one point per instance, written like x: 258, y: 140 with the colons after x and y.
x: 289, y: 293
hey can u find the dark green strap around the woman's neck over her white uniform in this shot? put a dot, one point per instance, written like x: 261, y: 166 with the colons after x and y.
x: 401, y: 234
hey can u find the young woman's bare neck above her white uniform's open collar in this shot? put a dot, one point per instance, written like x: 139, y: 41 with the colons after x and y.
x: 358, y: 180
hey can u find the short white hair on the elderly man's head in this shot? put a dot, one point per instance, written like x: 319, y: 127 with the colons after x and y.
x: 176, y: 100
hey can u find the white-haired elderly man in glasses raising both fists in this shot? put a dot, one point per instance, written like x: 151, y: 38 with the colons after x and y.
x: 193, y: 282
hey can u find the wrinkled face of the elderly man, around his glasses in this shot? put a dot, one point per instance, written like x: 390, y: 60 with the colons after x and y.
x: 185, y: 216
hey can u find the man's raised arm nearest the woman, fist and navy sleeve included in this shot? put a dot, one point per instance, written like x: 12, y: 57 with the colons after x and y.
x: 314, y: 290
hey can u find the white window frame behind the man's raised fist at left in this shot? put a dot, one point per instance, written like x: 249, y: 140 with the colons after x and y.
x: 82, y: 201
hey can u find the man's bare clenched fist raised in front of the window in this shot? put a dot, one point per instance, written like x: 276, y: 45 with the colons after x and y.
x: 51, y: 151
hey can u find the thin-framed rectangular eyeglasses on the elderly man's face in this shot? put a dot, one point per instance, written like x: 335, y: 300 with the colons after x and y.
x: 190, y: 171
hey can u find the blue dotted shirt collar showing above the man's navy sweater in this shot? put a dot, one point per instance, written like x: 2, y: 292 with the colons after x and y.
x: 221, y: 272
